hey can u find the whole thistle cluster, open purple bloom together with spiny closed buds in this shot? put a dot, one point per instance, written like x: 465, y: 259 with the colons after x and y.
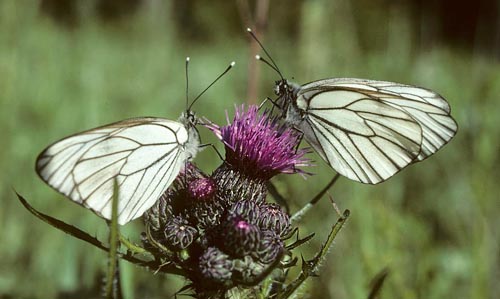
x: 219, y: 229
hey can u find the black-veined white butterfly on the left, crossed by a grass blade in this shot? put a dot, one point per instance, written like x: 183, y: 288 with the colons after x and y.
x: 143, y: 154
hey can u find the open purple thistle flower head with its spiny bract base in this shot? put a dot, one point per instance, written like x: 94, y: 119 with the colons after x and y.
x: 257, y: 148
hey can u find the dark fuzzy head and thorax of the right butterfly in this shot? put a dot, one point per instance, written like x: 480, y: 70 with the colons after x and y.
x: 287, y: 93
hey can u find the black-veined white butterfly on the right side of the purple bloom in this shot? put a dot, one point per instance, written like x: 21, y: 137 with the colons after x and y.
x: 364, y: 129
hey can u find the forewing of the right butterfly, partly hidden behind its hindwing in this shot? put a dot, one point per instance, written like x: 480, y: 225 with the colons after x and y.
x: 428, y: 108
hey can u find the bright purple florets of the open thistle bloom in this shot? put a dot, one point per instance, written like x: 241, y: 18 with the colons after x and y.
x: 259, y: 146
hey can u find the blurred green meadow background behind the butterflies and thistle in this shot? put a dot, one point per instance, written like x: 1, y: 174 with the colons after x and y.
x: 66, y: 66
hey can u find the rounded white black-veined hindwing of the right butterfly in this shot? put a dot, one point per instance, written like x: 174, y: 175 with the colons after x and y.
x: 362, y: 138
